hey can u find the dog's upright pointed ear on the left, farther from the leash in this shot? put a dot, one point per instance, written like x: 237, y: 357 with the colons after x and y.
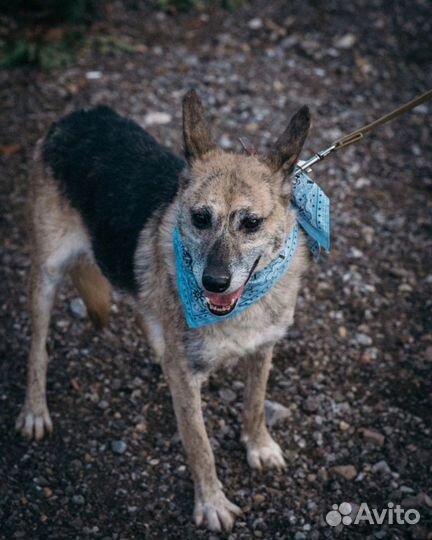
x: 196, y: 132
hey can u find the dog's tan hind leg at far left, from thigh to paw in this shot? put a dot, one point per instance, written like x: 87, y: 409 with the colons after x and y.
x: 58, y: 239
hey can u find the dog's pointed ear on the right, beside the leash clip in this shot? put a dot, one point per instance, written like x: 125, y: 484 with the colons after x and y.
x: 286, y: 150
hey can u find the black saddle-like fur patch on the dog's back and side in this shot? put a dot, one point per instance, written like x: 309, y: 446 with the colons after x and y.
x: 116, y: 175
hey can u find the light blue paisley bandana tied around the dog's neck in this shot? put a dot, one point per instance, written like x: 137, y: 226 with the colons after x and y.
x: 313, y: 216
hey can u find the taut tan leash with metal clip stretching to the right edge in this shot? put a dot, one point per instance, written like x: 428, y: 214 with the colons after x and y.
x: 358, y: 134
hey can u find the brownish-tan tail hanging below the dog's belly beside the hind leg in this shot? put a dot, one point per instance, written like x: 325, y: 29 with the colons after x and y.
x: 94, y: 289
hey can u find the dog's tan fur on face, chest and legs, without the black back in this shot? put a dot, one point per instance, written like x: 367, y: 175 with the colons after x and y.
x: 226, y: 183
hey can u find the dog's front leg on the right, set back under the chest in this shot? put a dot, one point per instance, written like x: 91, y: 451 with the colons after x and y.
x: 262, y: 450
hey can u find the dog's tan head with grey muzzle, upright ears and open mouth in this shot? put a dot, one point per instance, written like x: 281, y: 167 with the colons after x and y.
x: 234, y: 209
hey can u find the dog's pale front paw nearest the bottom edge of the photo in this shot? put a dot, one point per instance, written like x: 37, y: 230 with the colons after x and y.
x: 216, y: 512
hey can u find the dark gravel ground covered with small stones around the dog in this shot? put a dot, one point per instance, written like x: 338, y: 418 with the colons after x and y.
x: 353, y: 372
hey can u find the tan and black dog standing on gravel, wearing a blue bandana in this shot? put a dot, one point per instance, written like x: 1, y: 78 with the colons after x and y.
x: 106, y: 200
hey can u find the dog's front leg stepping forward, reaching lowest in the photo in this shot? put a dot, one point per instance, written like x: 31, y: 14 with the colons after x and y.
x: 211, y: 505
